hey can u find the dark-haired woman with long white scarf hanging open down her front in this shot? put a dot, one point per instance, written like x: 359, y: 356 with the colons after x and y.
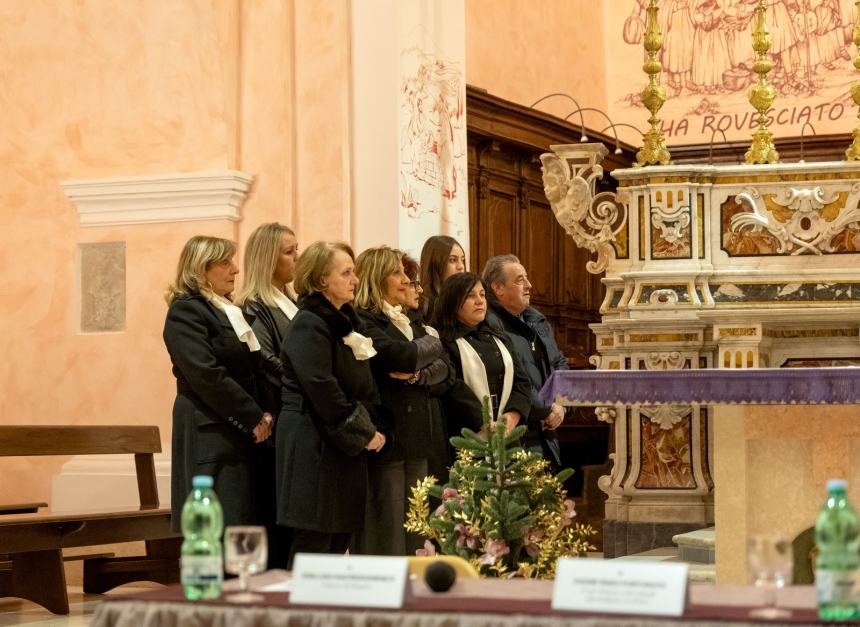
x: 483, y: 358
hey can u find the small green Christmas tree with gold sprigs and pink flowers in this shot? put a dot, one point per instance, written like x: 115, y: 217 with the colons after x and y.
x: 502, y: 510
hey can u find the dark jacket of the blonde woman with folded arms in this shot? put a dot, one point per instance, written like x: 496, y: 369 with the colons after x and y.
x: 418, y: 426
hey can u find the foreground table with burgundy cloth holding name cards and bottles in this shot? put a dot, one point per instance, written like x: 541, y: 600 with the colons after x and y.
x: 470, y: 603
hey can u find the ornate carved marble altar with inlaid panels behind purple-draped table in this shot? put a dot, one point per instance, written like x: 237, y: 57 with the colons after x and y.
x: 724, y: 266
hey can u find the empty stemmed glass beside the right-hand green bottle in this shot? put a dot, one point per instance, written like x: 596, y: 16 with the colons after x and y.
x: 770, y: 565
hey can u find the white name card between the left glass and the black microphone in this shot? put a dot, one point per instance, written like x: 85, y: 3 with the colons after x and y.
x: 354, y: 580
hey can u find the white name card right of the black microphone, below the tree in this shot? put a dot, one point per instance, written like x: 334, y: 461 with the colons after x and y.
x: 620, y: 587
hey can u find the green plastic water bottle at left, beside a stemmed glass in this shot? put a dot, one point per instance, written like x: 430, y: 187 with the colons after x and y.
x: 202, y: 524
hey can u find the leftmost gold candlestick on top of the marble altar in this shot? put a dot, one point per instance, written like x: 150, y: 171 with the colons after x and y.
x: 653, y: 151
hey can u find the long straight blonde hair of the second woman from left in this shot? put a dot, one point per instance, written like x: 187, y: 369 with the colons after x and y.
x: 261, y: 258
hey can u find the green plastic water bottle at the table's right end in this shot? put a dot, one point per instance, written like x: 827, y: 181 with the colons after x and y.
x: 837, y: 535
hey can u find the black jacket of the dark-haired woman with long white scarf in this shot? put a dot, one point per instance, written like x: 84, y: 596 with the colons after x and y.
x: 462, y: 407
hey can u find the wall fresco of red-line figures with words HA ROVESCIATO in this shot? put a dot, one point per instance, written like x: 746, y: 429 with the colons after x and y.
x: 707, y: 57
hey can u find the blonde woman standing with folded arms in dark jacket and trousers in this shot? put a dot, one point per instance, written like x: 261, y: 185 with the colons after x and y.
x: 410, y: 371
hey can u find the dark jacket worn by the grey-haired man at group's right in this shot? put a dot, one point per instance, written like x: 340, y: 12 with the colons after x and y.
x: 534, y: 344
